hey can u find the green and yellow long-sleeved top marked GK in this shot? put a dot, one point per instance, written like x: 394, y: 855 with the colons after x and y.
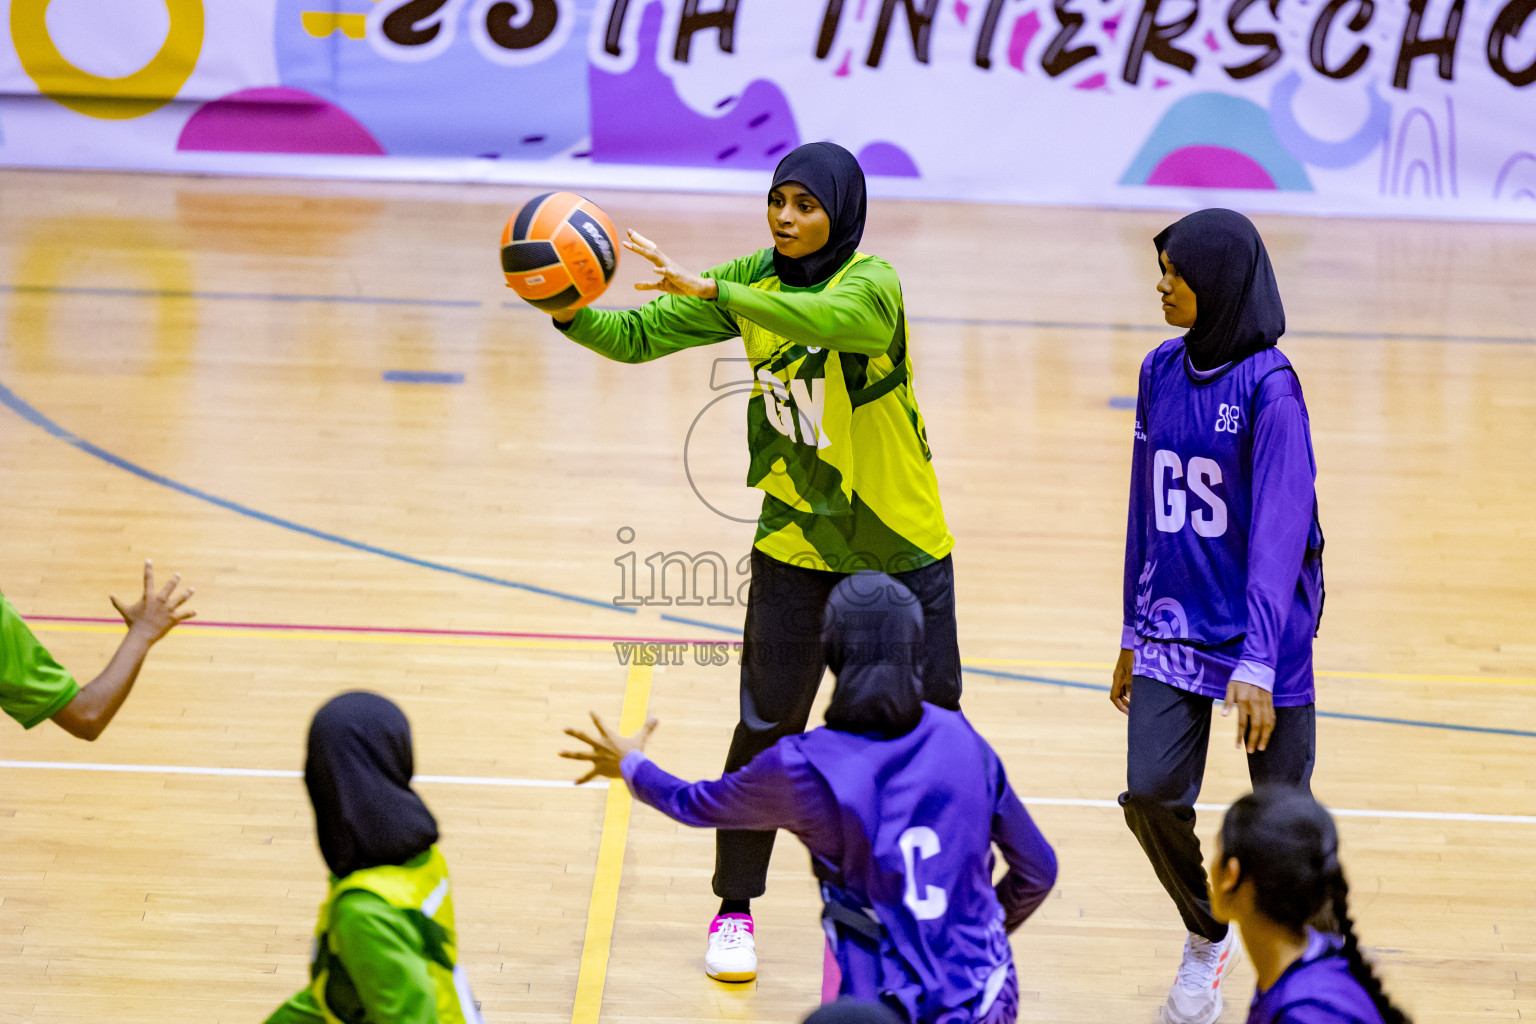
x: 836, y: 440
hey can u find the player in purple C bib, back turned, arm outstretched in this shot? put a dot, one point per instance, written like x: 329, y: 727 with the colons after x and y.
x: 899, y: 804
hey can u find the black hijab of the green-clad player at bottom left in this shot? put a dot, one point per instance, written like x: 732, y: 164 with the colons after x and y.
x: 359, y: 778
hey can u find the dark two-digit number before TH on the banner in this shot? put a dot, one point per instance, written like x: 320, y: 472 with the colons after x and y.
x: 505, y: 31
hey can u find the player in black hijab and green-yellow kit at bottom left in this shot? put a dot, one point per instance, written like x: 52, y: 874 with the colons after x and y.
x: 385, y: 946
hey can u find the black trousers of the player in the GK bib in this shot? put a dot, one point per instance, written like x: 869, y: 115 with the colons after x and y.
x: 783, y: 669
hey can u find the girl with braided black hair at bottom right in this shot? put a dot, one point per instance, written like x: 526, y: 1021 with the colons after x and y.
x: 1276, y: 873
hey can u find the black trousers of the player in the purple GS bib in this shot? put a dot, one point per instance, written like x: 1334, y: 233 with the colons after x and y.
x: 1167, y: 764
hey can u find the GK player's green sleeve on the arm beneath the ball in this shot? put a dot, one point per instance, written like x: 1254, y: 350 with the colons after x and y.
x: 666, y: 325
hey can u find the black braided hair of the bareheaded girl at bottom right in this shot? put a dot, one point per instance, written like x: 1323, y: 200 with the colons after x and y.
x: 1286, y: 844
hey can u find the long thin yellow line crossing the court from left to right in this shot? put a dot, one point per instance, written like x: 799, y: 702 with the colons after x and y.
x: 609, y: 646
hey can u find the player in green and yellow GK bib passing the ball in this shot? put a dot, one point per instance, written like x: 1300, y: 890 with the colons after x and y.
x: 838, y: 448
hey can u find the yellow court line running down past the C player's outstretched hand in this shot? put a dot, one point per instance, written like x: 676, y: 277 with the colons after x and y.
x: 604, y: 905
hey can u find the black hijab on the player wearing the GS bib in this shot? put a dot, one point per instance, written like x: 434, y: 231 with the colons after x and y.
x: 1237, y: 302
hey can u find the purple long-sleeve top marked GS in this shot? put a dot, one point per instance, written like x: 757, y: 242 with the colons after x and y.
x: 1223, y: 549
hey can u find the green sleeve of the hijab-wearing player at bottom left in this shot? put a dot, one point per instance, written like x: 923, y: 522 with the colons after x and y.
x: 383, y: 956
